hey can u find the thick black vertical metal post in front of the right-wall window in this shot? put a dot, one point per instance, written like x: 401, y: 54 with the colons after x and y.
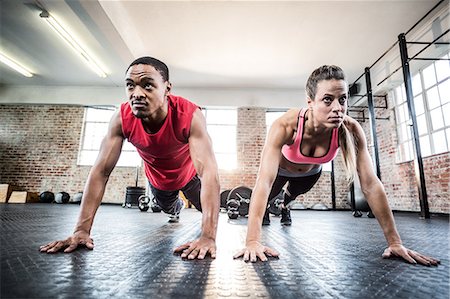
x: 418, y: 163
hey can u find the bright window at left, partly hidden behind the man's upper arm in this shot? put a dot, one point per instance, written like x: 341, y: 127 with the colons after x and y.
x: 96, y: 122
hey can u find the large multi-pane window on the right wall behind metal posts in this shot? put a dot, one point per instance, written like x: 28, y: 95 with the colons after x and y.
x: 431, y: 92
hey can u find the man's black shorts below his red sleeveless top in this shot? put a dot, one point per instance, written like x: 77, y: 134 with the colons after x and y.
x: 167, y: 199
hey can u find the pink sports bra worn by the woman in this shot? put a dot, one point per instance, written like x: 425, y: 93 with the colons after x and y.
x: 293, y: 153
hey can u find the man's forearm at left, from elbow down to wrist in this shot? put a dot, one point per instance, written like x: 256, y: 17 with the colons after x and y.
x: 92, y: 197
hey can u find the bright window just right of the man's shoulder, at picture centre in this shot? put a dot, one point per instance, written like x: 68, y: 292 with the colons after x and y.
x: 221, y: 125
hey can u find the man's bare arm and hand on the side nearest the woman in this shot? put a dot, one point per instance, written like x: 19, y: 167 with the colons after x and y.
x: 202, y: 155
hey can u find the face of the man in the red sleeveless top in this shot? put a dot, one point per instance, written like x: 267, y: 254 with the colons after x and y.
x: 146, y: 90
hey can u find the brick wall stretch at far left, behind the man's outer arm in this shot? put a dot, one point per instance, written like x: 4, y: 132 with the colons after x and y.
x: 39, y: 148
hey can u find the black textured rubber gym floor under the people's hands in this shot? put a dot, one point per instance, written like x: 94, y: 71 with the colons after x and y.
x: 324, y: 254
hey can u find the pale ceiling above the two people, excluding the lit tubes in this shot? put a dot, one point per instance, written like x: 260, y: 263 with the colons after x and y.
x: 209, y: 46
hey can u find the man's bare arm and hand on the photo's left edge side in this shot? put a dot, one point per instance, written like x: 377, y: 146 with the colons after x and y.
x: 94, y: 189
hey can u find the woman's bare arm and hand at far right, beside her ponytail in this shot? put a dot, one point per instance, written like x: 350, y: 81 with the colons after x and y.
x: 376, y: 197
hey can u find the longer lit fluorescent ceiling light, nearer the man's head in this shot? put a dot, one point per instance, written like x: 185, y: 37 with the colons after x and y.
x: 72, y: 42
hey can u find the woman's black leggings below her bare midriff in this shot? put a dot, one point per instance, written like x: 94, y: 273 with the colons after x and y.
x: 295, y: 187
